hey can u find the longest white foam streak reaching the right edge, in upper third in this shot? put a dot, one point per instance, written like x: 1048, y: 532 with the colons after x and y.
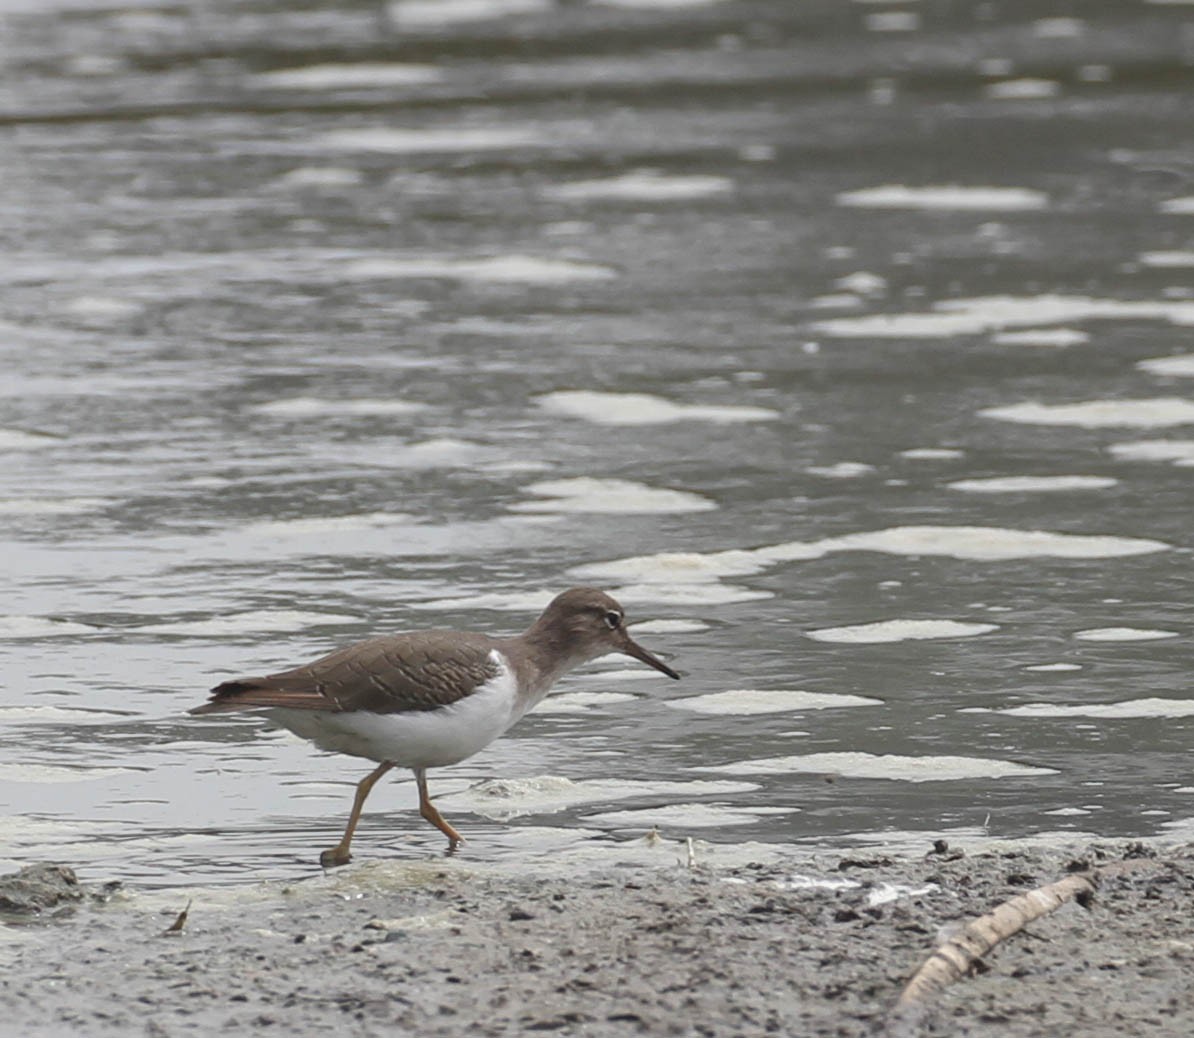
x: 984, y: 315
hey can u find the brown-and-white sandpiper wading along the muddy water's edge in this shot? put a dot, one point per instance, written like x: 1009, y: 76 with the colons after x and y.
x: 432, y: 698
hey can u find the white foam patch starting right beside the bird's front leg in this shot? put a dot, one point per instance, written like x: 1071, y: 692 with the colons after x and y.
x: 502, y: 800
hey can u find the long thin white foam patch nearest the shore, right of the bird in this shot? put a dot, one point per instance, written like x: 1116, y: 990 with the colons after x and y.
x: 884, y: 766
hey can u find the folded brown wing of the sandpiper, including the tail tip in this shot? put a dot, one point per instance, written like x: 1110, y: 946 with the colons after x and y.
x: 396, y: 674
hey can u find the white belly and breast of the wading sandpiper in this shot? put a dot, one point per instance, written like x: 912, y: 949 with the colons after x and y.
x: 424, y: 739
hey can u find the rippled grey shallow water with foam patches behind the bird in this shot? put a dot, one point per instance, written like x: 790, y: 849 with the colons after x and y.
x: 847, y: 346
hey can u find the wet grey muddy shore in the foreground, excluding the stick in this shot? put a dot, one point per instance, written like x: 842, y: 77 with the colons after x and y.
x: 801, y: 945
